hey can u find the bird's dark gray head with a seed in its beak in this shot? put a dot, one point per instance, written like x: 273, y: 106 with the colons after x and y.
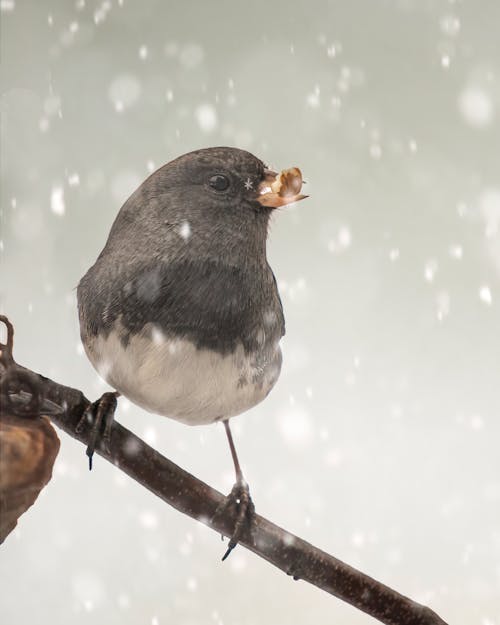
x: 221, y: 196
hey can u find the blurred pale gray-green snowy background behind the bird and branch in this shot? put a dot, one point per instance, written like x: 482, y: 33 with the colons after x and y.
x: 380, y: 442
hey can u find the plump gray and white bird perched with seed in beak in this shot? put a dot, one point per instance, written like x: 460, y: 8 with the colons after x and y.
x: 181, y: 312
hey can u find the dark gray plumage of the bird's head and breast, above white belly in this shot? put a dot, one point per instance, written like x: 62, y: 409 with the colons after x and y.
x: 187, y: 258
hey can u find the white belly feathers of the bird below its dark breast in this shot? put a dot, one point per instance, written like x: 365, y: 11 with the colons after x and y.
x: 175, y: 379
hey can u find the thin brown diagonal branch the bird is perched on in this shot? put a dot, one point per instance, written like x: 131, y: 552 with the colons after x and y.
x: 24, y: 392
